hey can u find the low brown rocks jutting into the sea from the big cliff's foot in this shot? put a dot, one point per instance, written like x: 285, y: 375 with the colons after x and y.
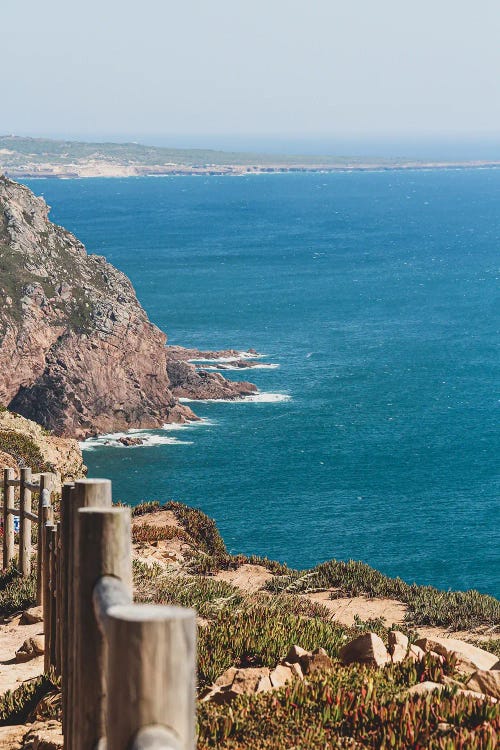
x: 188, y: 382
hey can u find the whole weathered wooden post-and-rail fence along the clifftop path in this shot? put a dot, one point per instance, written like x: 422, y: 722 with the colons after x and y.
x: 127, y: 670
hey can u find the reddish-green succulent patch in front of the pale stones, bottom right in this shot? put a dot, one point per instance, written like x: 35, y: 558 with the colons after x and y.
x: 351, y: 707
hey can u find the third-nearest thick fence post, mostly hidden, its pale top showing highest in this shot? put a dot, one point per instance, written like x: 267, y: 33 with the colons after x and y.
x: 86, y: 493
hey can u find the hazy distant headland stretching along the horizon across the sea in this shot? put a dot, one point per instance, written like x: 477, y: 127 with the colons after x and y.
x: 22, y: 158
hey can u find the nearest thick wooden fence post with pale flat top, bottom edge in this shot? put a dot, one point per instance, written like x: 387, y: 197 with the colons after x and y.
x: 151, y: 674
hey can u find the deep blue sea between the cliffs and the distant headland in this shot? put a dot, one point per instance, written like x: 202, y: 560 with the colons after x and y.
x: 377, y: 296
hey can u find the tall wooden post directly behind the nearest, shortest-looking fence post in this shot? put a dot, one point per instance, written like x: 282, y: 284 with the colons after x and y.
x: 105, y: 549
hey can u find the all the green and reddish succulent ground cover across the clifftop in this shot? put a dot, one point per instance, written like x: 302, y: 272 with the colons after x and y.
x: 349, y: 707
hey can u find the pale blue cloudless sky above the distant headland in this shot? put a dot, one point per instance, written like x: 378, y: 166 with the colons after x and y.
x: 196, y: 72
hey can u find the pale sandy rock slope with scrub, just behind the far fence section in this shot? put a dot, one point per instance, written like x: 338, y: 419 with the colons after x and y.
x: 25, y: 443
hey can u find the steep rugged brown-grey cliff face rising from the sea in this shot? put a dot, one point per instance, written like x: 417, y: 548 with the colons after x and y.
x: 77, y: 351
